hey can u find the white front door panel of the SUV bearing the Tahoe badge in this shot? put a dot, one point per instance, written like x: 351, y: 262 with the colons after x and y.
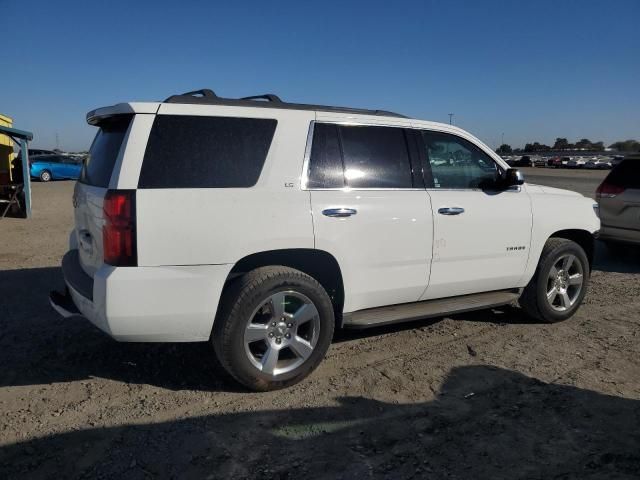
x: 484, y: 248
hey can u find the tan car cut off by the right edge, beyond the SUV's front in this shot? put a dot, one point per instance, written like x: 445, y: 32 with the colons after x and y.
x: 618, y: 199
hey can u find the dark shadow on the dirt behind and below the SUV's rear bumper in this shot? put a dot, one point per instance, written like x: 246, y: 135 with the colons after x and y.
x: 37, y: 346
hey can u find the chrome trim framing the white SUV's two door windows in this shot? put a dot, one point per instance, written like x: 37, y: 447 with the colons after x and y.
x: 307, y: 156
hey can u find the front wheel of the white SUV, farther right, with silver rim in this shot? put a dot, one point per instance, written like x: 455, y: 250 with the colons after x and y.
x: 559, y: 284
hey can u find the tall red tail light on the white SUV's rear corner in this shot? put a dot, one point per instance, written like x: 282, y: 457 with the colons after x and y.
x: 119, y: 231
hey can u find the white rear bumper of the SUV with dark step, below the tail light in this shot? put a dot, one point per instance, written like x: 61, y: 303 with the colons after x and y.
x: 144, y: 304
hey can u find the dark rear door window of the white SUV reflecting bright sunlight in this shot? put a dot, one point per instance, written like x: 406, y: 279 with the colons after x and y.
x: 359, y: 157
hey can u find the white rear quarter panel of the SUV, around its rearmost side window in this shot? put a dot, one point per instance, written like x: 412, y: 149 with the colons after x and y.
x: 205, y: 226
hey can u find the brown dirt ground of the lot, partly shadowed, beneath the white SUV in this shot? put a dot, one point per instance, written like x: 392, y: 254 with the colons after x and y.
x: 479, y: 395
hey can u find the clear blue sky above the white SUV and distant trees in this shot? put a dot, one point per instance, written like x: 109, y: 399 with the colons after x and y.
x: 531, y: 70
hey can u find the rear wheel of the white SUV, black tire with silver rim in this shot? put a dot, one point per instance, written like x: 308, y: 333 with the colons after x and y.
x: 274, y: 327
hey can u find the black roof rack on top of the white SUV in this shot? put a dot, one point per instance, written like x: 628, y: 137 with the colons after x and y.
x: 268, y: 100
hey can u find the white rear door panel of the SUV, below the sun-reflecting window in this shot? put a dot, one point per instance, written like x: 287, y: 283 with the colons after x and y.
x: 384, y: 250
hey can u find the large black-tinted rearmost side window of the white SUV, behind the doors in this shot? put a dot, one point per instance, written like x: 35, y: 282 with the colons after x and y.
x: 205, y: 152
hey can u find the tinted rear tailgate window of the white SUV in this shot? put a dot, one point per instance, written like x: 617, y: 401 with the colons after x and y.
x: 104, y: 150
